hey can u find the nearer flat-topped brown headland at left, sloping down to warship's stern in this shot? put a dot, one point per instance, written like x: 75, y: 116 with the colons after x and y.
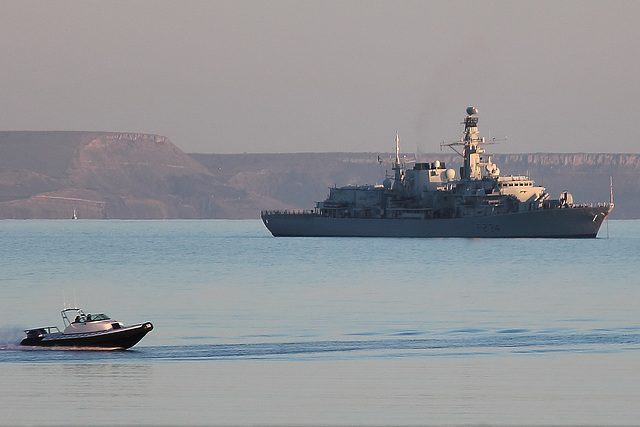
x: 112, y: 175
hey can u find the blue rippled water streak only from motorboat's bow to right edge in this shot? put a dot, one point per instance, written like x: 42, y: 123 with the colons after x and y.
x: 464, y: 344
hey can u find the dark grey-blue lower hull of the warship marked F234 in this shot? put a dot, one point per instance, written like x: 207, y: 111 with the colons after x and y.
x: 570, y: 222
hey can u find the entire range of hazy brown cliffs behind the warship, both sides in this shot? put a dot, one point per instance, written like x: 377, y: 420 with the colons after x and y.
x: 142, y: 176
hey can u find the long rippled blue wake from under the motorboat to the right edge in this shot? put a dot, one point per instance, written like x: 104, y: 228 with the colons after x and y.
x: 467, y: 343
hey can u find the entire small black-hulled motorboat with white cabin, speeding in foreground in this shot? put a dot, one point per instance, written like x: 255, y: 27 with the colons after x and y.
x: 87, y: 330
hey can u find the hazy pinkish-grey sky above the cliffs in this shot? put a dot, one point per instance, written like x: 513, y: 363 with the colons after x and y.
x: 318, y: 76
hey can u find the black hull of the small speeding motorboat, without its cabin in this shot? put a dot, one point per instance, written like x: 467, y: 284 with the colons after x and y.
x: 122, y: 338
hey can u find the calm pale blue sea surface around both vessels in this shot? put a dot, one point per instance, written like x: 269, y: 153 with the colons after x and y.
x: 255, y: 330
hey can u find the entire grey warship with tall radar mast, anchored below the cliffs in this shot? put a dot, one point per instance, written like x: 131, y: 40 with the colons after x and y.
x: 430, y: 201
